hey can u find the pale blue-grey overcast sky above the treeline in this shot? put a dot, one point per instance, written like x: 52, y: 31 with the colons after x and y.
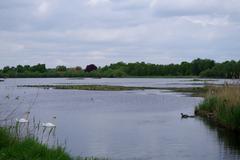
x: 81, y: 32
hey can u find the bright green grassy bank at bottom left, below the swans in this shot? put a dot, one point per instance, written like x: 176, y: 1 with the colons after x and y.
x: 12, y: 148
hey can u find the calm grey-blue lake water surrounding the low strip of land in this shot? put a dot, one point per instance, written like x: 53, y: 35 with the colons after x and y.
x: 127, y: 124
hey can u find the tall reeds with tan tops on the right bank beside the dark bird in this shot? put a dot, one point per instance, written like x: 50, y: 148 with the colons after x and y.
x: 222, y: 105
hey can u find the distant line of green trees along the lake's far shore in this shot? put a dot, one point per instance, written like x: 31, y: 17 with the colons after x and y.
x: 198, y: 67
